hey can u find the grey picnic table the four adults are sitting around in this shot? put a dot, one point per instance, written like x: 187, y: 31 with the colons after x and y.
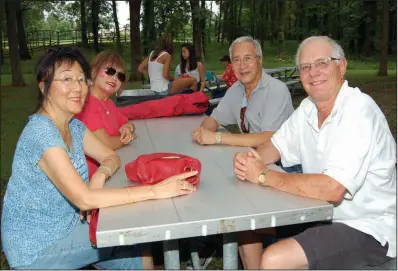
x: 221, y: 205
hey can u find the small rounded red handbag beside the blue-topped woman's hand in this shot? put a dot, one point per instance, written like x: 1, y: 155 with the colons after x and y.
x: 149, y: 169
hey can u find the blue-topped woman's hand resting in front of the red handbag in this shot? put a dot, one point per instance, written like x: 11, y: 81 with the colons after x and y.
x: 174, y: 186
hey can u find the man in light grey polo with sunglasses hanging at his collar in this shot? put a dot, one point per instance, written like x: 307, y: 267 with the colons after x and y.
x: 257, y: 102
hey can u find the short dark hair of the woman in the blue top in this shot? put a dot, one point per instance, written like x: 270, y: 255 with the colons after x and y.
x: 55, y: 57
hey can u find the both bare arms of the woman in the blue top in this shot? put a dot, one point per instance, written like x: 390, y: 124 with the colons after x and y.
x: 57, y: 165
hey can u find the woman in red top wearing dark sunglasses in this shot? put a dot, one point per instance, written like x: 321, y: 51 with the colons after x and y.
x: 100, y: 114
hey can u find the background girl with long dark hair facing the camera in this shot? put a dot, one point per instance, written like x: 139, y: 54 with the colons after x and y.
x: 190, y: 67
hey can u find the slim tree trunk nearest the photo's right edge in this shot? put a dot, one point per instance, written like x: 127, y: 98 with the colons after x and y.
x: 384, y: 39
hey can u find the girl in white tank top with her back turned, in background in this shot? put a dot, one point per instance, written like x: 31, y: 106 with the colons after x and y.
x: 157, y: 66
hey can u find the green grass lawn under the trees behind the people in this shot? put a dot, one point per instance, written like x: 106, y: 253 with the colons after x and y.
x: 17, y: 103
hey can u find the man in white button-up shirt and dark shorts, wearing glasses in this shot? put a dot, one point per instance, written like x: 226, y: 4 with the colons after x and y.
x: 348, y: 155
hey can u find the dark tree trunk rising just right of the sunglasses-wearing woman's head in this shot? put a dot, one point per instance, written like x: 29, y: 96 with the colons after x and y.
x: 135, y: 40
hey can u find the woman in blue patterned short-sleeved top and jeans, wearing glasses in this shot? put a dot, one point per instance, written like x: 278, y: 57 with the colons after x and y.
x: 49, y: 187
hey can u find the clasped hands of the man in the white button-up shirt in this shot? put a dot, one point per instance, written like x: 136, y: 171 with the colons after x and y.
x: 248, y: 166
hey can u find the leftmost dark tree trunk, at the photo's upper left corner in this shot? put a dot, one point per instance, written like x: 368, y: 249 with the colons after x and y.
x: 16, y: 69
